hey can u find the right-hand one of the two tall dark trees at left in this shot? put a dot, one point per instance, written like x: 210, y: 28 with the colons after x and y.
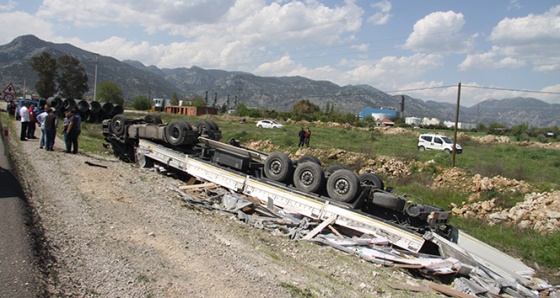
x: 72, y: 78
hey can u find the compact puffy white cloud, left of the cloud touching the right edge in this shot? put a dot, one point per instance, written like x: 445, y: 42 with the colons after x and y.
x: 440, y: 32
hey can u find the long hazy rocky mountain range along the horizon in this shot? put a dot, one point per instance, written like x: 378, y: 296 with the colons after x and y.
x: 273, y: 93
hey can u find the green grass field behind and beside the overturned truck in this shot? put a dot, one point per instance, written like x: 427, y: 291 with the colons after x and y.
x: 539, y: 167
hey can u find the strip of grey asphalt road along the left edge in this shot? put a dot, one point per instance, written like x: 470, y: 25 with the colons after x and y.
x: 18, y: 266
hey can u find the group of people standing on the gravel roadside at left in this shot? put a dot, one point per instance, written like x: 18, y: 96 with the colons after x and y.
x: 47, y: 120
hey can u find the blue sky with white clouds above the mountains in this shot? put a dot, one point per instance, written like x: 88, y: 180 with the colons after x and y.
x: 494, y: 48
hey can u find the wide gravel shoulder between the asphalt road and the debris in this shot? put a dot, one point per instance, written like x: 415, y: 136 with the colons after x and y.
x: 121, y: 231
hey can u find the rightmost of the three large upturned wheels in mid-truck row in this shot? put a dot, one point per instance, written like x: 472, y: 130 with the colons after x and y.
x: 343, y: 185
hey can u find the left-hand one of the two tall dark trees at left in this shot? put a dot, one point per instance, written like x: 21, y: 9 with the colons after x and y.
x: 45, y: 65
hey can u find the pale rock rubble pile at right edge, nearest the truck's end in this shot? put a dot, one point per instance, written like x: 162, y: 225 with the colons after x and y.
x: 538, y: 211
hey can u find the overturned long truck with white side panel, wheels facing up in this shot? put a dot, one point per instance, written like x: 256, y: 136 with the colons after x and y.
x: 359, y: 204
